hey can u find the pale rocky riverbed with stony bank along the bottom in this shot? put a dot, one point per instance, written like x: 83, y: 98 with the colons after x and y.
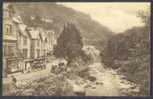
x: 108, y: 83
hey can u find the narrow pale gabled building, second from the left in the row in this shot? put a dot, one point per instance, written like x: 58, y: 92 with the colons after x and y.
x: 23, y: 42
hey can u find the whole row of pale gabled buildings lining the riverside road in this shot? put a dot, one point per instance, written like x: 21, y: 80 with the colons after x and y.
x: 22, y: 43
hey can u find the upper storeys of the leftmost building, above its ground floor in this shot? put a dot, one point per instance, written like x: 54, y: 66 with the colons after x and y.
x: 9, y: 34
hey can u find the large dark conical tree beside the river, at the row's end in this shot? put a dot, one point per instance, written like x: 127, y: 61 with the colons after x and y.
x: 69, y: 44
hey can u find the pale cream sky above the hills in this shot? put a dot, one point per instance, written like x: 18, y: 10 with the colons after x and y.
x: 116, y: 16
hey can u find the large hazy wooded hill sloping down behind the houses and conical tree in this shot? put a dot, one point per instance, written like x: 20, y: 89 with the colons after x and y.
x: 91, y: 31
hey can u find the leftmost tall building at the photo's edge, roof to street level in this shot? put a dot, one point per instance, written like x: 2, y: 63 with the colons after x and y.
x: 11, y: 55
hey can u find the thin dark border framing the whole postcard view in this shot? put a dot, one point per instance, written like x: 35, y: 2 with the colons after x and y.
x: 67, y: 97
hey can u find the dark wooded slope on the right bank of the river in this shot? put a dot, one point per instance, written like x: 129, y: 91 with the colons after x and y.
x: 129, y: 52
